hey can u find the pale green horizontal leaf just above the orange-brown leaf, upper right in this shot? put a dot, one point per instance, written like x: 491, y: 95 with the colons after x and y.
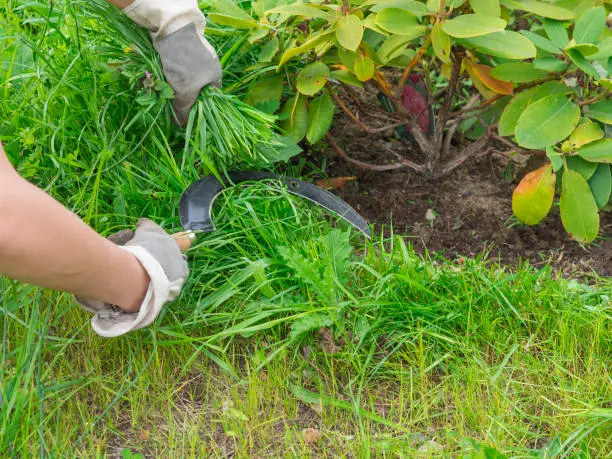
x: 507, y: 44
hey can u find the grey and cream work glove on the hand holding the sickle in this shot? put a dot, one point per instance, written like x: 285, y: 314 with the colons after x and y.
x: 167, y: 268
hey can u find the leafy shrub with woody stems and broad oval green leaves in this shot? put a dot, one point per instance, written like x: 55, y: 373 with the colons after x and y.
x: 525, y: 76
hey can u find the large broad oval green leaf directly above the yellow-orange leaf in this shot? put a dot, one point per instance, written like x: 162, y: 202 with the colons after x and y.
x: 547, y: 122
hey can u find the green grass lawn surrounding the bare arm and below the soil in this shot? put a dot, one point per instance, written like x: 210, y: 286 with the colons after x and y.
x: 288, y: 320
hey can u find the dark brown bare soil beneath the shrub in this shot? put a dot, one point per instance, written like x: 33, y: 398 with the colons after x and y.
x: 472, y: 206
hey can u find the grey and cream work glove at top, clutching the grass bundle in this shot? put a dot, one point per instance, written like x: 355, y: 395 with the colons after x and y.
x: 189, y: 61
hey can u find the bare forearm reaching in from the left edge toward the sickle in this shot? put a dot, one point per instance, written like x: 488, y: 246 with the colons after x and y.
x: 45, y: 244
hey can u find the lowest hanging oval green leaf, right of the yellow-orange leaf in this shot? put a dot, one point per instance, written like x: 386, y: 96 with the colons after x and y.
x: 578, y: 207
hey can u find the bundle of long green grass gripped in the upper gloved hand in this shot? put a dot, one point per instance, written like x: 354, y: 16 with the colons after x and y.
x: 222, y: 130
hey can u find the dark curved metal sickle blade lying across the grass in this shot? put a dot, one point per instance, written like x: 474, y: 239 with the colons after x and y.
x: 195, y: 207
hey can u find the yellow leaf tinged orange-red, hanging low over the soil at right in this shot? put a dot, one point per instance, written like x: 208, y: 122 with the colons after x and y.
x: 533, y: 197
